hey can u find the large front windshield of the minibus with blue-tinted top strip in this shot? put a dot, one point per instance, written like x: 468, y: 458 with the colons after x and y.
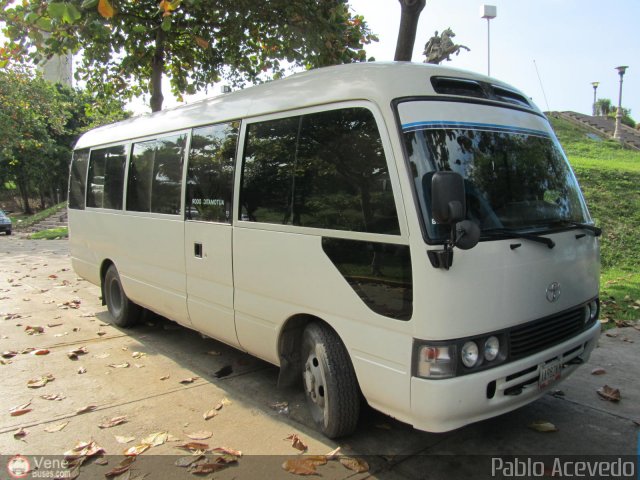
x: 515, y: 179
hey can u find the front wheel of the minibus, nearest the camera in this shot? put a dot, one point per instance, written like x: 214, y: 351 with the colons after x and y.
x: 329, y: 381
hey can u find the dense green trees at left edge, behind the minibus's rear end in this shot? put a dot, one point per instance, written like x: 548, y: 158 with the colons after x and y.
x: 43, y: 121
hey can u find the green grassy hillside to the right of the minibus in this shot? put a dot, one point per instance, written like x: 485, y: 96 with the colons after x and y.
x: 610, y: 179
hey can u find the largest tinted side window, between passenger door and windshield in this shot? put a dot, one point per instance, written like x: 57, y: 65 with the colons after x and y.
x: 323, y: 170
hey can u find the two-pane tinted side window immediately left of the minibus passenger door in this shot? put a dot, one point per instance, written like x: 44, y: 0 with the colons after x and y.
x: 155, y: 175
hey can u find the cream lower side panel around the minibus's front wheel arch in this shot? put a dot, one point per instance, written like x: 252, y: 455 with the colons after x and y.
x: 278, y: 275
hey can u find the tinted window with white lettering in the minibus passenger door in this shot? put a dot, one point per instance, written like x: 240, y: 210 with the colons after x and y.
x: 210, y: 173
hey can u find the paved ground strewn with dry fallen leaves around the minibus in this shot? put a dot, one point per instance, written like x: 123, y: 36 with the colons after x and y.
x: 137, y: 374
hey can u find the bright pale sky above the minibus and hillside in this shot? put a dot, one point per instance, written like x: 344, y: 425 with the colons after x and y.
x: 573, y: 43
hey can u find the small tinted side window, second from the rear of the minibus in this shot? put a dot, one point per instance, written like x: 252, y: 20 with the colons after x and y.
x: 106, y: 177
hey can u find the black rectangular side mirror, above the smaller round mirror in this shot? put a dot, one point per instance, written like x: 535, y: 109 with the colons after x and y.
x: 448, y: 204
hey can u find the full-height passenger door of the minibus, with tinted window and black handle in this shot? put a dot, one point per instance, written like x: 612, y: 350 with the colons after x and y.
x: 208, y: 231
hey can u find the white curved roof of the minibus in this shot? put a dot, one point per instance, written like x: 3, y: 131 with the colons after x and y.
x: 379, y: 82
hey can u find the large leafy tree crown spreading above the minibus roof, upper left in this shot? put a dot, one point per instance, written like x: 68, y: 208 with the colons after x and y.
x: 128, y: 46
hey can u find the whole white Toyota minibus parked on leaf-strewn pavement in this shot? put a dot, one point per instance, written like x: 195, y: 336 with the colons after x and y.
x: 404, y: 233
